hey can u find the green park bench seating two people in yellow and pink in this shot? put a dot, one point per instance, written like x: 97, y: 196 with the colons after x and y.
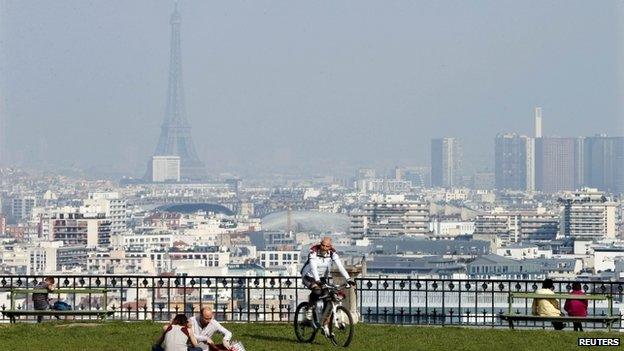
x: 511, y: 317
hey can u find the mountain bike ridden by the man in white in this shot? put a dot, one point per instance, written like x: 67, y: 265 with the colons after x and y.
x: 340, y: 326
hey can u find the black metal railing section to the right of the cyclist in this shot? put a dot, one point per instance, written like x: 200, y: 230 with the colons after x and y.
x: 467, y: 302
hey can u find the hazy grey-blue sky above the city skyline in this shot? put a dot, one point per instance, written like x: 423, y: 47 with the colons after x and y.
x: 303, y: 85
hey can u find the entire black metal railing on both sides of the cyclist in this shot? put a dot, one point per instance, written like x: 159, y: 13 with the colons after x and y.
x: 461, y: 302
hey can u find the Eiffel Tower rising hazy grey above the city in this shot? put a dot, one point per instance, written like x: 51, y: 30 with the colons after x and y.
x: 175, y: 136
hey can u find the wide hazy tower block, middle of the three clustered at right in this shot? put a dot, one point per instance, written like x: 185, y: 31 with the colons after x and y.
x: 555, y: 164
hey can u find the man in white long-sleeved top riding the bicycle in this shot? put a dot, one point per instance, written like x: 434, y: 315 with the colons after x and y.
x: 316, y: 271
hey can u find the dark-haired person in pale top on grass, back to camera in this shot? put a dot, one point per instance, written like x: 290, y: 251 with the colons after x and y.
x: 177, y: 336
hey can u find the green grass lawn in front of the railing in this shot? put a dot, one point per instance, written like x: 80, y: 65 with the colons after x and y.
x: 116, y: 336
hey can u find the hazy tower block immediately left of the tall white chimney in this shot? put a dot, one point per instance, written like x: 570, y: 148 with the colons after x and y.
x: 513, y: 162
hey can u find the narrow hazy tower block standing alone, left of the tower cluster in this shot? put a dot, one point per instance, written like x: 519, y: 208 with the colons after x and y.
x: 446, y: 162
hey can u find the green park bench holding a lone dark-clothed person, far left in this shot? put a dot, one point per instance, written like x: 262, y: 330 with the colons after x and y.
x: 13, y: 312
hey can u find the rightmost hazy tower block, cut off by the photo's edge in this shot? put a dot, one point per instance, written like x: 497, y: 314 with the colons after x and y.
x: 604, y: 163
